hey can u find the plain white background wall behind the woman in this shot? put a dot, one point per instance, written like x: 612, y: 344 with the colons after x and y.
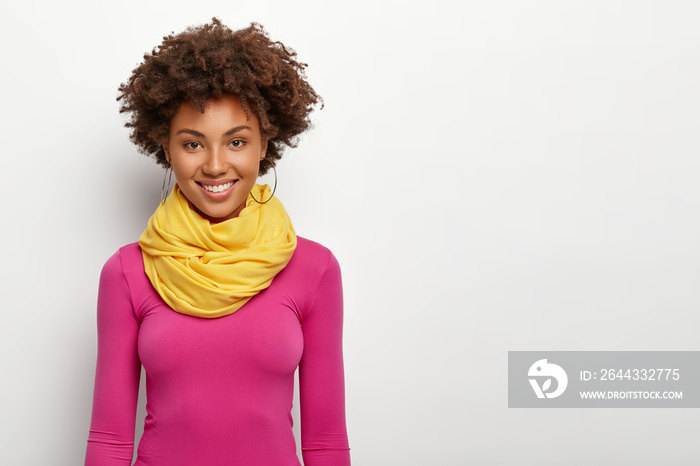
x: 500, y: 175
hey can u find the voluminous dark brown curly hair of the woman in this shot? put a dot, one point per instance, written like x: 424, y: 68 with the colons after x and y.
x: 209, y: 61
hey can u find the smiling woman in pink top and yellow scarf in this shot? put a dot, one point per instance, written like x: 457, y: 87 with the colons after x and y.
x: 219, y: 300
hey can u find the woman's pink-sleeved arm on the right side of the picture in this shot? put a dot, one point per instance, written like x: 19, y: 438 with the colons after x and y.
x: 324, y: 440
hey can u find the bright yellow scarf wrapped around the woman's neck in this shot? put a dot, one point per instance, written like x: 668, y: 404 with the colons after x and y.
x: 211, y: 270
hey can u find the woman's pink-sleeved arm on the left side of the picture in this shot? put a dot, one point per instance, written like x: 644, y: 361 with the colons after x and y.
x: 111, y: 439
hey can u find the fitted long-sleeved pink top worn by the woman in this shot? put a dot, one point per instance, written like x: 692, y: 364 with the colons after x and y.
x: 220, y: 390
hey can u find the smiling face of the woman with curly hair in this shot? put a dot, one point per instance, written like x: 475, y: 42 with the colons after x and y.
x: 215, y: 155
